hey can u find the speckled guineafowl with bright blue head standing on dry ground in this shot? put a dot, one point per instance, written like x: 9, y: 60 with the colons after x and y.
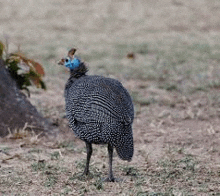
x: 99, y: 111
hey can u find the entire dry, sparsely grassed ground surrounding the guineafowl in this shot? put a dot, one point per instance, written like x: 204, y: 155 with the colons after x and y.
x: 173, y: 79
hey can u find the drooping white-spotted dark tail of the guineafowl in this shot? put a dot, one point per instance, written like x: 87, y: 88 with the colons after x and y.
x: 124, y: 145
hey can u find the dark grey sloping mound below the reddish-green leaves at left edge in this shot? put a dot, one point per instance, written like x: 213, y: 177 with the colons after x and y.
x: 15, y: 109
